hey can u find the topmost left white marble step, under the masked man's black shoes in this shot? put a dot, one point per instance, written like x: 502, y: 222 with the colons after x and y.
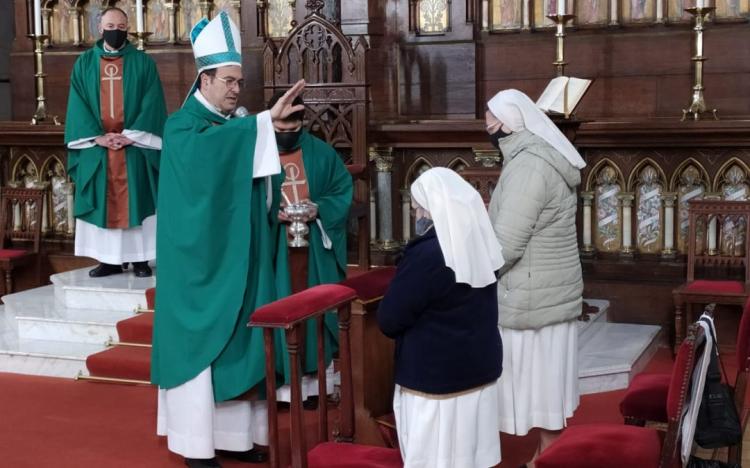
x: 121, y: 292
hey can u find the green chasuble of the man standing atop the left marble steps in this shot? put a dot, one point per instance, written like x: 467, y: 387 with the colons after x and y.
x: 144, y: 110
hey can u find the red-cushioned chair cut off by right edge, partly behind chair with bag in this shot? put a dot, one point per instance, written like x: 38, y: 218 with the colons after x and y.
x: 646, y: 397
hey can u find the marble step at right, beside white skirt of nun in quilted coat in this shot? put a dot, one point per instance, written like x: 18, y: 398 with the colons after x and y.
x: 603, y: 367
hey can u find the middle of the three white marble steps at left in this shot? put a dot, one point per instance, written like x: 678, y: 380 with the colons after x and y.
x: 39, y: 315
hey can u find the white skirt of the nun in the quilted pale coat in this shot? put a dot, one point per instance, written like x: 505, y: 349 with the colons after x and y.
x: 539, y: 384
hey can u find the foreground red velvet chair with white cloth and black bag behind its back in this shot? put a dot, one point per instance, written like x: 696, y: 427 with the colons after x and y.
x: 623, y: 446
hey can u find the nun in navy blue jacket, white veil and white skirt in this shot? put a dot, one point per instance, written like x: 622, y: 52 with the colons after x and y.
x: 441, y: 308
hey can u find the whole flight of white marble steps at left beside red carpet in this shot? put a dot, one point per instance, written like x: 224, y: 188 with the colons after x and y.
x: 52, y: 329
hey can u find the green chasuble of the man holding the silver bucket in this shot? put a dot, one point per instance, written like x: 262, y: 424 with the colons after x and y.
x: 330, y: 186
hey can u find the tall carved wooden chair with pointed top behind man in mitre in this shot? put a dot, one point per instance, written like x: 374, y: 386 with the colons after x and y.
x: 335, y: 99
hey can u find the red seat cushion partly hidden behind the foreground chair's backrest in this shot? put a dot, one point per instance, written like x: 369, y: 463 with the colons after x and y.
x: 646, y: 397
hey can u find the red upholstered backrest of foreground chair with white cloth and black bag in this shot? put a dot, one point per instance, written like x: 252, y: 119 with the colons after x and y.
x: 679, y: 386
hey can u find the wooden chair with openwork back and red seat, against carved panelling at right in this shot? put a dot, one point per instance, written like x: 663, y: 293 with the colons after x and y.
x: 727, y: 291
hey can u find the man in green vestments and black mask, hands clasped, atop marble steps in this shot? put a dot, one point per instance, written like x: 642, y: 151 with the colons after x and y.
x: 116, y: 114
